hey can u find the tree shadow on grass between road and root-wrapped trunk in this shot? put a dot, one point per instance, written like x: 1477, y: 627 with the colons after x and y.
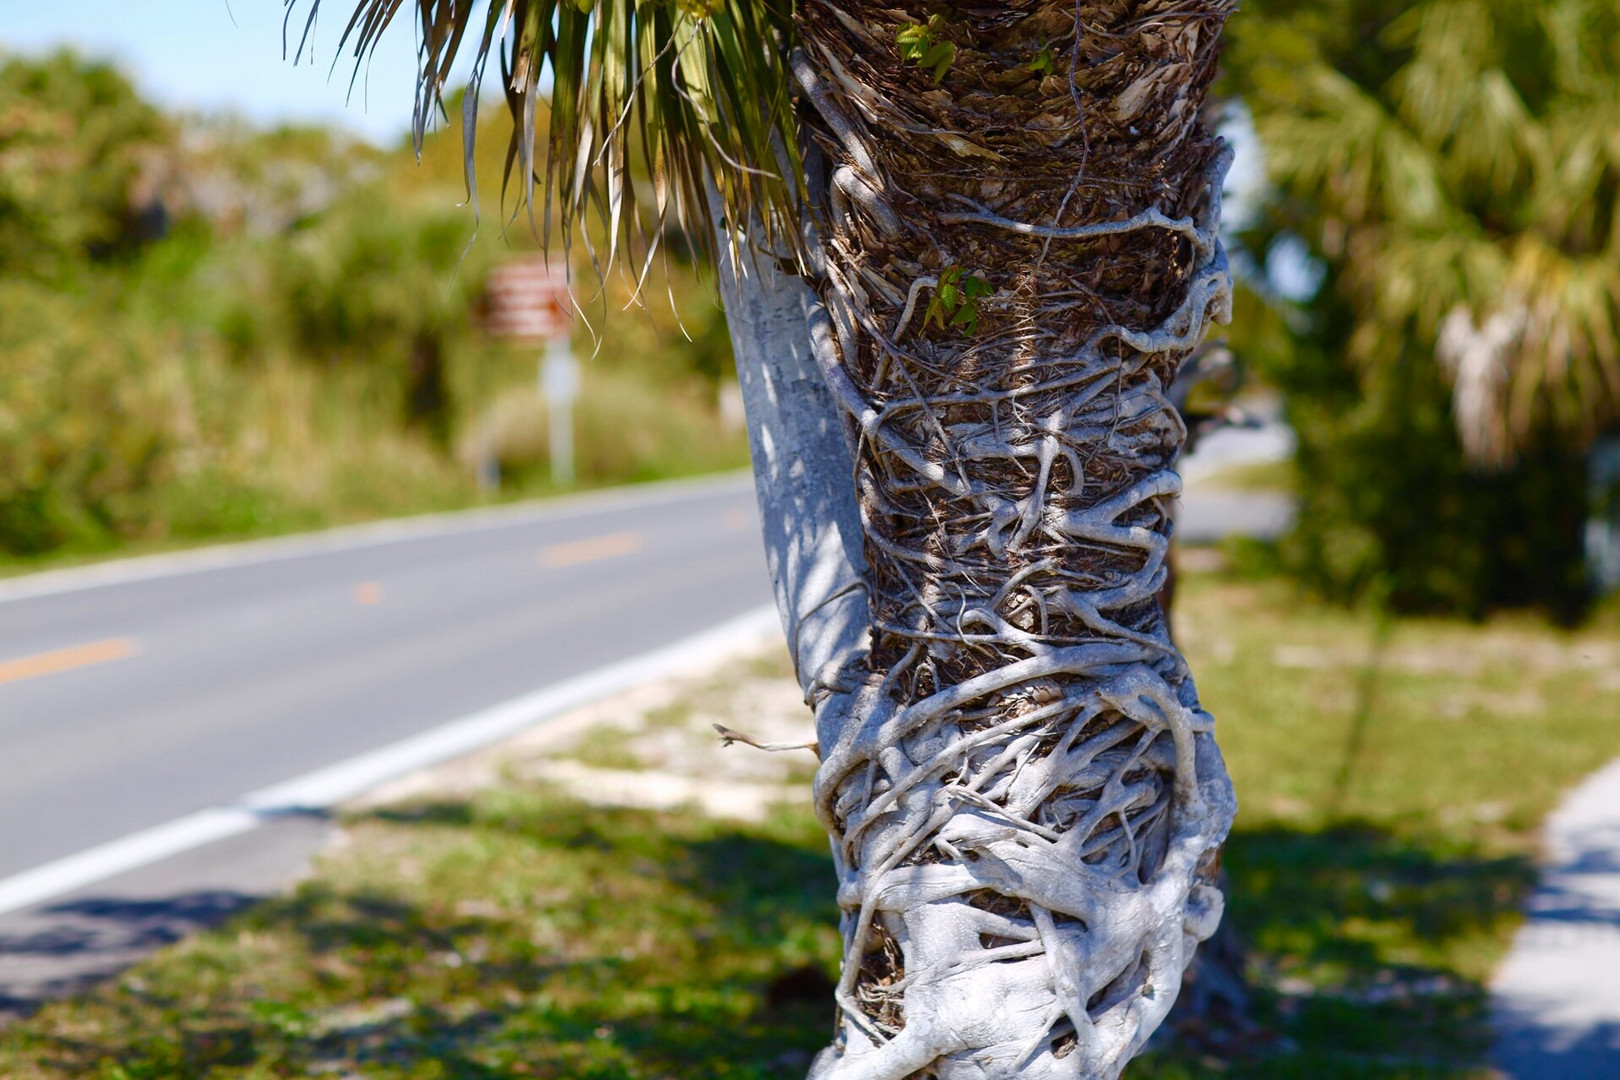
x: 383, y: 979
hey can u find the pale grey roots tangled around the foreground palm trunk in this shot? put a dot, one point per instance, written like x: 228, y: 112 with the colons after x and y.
x: 1102, y: 896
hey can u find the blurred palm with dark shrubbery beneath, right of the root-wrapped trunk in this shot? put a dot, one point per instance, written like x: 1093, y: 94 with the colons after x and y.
x: 1454, y: 166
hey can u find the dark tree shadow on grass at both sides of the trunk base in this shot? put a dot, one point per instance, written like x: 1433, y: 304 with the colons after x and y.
x: 718, y: 964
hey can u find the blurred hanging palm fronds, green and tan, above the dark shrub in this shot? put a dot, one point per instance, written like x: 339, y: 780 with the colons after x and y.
x: 1459, y: 164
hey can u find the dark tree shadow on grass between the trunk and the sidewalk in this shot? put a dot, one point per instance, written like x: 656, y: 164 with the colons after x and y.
x: 1365, y: 951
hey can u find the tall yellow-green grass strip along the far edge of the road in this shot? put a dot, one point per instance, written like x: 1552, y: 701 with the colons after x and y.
x: 356, y: 469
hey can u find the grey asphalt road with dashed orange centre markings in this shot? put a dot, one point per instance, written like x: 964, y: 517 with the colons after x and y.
x: 147, y: 694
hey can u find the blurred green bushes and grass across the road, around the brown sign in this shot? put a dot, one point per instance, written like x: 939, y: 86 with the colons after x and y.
x: 211, y: 330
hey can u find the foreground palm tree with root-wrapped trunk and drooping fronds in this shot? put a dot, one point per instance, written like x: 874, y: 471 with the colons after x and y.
x: 963, y: 253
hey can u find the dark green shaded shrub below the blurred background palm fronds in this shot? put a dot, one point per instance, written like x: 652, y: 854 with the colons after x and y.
x: 1392, y: 511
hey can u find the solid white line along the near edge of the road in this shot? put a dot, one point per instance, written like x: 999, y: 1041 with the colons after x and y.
x: 335, y: 784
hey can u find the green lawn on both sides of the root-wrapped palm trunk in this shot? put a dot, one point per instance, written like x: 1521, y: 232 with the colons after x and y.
x: 1391, y: 776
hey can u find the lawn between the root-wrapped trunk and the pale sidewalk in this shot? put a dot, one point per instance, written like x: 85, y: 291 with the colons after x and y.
x: 1391, y: 778
